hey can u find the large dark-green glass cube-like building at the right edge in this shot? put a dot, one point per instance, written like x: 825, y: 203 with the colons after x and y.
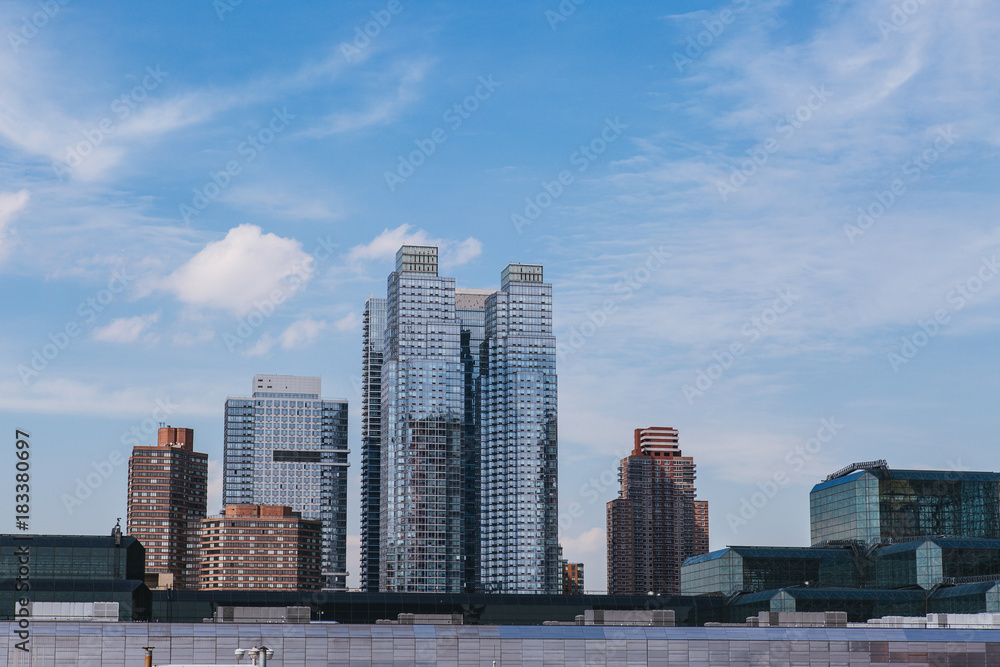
x: 870, y: 502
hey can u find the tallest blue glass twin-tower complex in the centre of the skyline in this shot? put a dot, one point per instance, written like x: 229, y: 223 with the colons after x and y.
x: 459, y: 460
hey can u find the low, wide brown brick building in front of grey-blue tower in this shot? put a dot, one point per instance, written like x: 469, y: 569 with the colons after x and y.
x: 260, y: 547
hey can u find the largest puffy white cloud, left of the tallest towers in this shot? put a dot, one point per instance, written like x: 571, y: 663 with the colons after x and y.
x: 245, y: 270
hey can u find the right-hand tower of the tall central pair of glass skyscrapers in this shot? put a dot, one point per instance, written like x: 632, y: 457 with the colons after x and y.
x: 520, y: 540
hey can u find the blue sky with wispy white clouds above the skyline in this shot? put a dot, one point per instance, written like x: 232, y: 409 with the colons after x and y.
x: 771, y: 225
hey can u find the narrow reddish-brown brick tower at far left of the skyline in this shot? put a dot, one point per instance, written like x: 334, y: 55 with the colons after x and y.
x: 167, y: 489
